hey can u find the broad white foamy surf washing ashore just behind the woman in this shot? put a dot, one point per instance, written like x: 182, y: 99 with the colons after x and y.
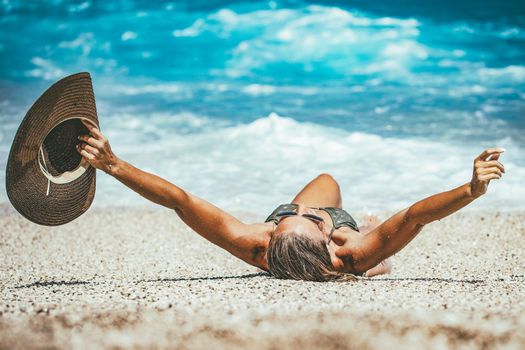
x: 257, y: 165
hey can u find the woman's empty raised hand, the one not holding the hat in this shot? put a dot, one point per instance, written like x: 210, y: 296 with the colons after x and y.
x: 486, y: 168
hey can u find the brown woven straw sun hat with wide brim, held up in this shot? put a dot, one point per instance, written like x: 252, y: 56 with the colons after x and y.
x: 47, y: 181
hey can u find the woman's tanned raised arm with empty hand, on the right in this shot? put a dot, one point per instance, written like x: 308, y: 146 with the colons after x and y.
x: 396, y: 232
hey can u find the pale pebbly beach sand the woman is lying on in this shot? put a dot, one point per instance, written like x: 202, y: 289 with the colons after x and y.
x: 138, y: 278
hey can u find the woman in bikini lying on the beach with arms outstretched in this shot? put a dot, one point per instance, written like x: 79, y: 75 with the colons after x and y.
x: 312, y: 238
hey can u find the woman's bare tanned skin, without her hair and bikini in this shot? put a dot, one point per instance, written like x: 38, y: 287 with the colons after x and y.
x: 351, y: 251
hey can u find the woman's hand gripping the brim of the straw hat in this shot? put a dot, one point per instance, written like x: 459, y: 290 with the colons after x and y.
x: 96, y: 150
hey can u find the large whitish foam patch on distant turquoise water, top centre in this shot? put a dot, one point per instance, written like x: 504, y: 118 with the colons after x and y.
x: 313, y: 34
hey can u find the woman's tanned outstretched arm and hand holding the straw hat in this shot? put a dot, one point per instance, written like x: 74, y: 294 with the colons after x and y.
x: 214, y: 224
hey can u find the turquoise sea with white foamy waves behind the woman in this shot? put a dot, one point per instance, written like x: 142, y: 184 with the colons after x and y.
x: 242, y: 103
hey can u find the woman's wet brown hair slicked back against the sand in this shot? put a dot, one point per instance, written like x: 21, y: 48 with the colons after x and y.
x: 302, y: 257
